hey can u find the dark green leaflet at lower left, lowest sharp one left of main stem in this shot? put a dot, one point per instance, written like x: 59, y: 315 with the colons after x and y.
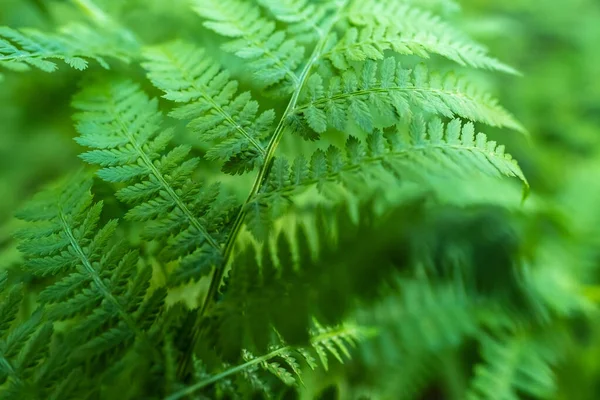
x: 92, y: 273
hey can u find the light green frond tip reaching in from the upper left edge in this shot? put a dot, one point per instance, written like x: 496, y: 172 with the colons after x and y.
x: 74, y: 44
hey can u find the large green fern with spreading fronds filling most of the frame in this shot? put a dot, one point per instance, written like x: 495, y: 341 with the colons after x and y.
x: 311, y: 180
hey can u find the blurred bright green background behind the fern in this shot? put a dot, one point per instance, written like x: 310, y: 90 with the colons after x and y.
x: 554, y: 44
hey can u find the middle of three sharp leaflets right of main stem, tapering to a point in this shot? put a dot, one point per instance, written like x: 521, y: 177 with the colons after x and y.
x: 393, y: 92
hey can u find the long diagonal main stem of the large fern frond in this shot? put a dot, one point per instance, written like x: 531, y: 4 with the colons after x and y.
x: 259, y: 181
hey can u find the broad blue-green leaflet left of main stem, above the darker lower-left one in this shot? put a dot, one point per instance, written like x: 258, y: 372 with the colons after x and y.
x: 122, y: 125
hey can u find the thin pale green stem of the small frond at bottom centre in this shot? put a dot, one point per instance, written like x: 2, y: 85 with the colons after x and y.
x: 323, y: 337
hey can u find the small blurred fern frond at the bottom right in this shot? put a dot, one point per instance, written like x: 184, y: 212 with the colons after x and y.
x: 514, y: 366
